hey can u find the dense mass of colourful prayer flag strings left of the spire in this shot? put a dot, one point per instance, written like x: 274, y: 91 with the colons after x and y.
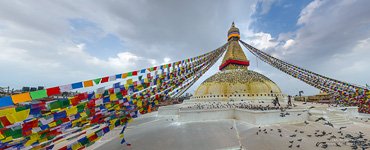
x: 35, y: 120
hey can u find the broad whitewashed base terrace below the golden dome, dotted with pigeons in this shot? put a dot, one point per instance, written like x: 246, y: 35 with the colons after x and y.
x: 184, y: 126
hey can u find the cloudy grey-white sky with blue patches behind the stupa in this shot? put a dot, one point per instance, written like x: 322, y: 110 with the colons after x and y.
x: 53, y: 43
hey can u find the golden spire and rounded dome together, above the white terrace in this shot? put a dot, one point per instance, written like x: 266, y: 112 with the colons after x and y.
x: 235, y: 81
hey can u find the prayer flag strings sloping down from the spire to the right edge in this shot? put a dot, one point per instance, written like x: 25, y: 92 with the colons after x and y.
x: 344, y: 93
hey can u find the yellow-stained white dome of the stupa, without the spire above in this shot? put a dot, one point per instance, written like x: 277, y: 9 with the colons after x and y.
x: 238, y: 84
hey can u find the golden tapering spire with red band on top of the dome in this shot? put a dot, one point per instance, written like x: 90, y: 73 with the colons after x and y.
x: 234, y: 57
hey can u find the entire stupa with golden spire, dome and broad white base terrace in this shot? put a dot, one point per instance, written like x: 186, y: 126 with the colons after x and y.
x: 233, y: 109
